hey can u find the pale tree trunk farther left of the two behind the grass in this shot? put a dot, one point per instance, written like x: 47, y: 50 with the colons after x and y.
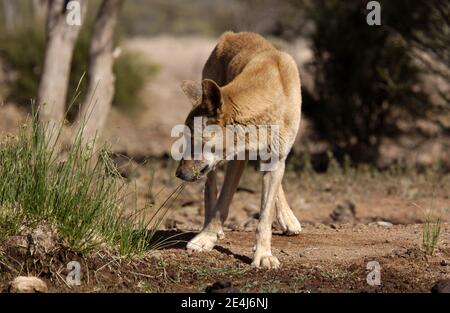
x: 61, y: 39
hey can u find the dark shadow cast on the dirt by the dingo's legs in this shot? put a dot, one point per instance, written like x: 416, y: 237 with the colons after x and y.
x: 177, y: 239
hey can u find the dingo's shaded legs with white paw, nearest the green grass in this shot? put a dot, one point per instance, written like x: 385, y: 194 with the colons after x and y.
x: 216, y: 212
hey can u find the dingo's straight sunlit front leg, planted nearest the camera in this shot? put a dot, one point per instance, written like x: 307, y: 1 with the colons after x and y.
x: 263, y: 254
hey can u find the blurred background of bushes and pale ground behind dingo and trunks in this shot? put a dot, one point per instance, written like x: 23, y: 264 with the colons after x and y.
x: 376, y: 95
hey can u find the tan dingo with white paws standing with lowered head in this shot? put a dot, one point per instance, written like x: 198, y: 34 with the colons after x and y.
x: 246, y: 82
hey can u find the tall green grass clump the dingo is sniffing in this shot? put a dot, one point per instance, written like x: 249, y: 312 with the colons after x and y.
x: 80, y: 194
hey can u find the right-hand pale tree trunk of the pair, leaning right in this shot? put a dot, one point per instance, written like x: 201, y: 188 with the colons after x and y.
x: 101, y: 78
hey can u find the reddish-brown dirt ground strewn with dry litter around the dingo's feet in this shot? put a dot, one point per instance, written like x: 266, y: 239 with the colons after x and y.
x: 348, y: 221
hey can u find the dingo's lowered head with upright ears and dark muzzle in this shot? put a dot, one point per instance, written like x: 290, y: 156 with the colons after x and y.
x: 207, y: 105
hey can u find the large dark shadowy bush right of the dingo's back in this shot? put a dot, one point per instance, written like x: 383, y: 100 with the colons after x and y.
x: 365, y: 80
